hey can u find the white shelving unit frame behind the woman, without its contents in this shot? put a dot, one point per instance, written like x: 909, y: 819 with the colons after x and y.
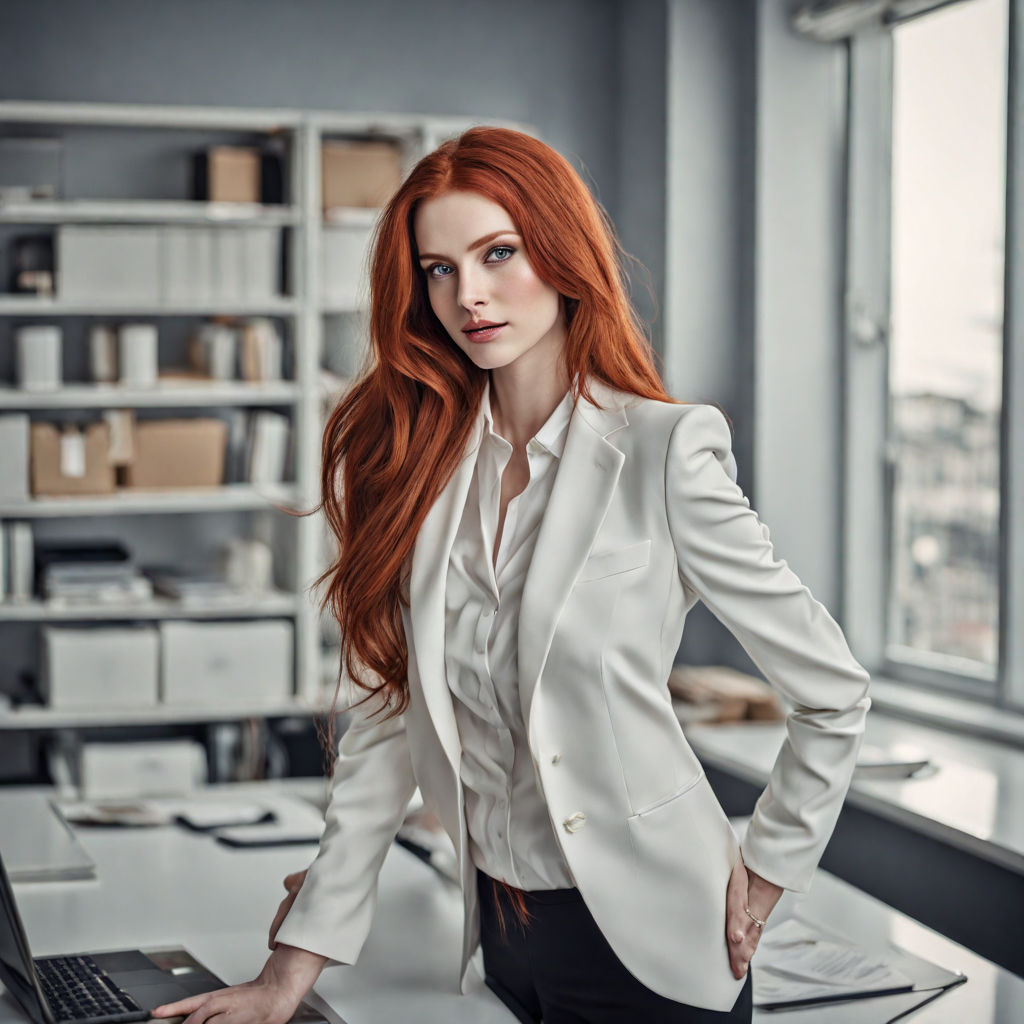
x: 303, y: 223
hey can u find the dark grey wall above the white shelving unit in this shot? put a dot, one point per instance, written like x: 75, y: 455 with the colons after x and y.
x: 552, y: 65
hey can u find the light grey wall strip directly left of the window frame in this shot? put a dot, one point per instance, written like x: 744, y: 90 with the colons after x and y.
x: 798, y: 296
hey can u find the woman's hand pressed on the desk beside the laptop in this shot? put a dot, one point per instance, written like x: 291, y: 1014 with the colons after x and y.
x: 271, y: 999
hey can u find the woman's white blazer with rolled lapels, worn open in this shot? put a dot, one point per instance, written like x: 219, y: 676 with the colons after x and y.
x: 646, y: 519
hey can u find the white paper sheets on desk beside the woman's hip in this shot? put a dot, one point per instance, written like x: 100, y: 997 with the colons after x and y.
x: 796, y: 963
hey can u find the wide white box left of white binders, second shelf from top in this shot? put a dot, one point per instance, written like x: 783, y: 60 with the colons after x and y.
x: 108, y: 265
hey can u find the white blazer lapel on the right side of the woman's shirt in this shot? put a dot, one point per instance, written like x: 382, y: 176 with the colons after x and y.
x: 588, y: 474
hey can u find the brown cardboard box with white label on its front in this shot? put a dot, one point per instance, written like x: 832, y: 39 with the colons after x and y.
x: 71, y: 461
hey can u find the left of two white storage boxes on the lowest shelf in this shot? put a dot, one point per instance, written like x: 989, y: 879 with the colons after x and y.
x: 100, y: 667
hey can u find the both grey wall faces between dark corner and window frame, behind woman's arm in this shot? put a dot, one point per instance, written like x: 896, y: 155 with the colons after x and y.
x: 756, y: 205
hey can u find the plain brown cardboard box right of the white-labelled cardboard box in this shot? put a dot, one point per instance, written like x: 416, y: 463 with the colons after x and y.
x: 179, y: 454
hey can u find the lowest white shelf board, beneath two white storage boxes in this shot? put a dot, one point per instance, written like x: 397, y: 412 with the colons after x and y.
x: 35, y: 717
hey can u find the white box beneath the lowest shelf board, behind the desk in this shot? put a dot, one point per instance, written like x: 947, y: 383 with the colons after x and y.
x: 153, y: 769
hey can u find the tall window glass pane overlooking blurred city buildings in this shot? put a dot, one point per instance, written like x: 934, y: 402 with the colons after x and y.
x: 950, y: 146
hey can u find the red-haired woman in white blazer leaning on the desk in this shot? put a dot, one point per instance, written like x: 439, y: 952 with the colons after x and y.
x: 525, y: 519
